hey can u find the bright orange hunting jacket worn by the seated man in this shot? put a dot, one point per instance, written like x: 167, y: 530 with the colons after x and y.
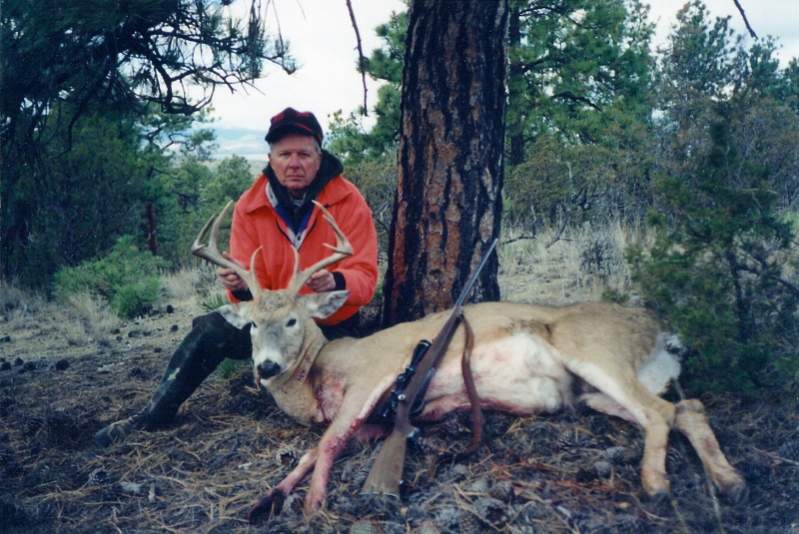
x: 256, y: 223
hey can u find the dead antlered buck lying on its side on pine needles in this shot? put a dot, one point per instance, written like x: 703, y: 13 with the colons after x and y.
x: 526, y: 359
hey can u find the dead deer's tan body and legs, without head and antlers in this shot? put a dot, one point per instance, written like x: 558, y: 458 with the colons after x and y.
x: 527, y: 359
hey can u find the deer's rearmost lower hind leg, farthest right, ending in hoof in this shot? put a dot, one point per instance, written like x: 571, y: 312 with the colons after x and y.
x: 690, y: 419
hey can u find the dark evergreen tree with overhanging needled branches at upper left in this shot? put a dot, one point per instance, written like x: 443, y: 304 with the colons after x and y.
x: 65, y: 66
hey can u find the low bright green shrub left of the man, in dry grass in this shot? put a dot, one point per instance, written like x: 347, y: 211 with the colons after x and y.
x: 127, y: 278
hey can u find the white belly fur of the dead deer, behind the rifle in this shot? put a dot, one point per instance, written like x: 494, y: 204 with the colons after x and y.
x: 519, y: 374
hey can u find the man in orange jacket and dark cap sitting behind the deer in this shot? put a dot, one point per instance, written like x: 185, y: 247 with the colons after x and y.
x: 276, y: 214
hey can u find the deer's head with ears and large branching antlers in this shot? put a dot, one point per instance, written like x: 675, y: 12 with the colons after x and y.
x: 285, y: 337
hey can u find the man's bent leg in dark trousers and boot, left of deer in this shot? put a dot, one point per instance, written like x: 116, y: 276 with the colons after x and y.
x: 211, y: 340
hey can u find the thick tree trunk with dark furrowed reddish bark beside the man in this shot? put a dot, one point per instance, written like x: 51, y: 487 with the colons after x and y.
x: 448, y: 204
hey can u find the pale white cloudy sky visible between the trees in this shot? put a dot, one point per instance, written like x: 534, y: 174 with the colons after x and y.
x: 323, y: 43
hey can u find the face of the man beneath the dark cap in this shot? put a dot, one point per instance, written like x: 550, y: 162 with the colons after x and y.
x: 295, y: 161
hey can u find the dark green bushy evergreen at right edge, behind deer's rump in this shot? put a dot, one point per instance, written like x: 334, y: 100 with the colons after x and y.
x: 718, y: 269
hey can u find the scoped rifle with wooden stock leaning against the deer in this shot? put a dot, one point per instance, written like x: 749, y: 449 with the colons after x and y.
x: 386, y: 473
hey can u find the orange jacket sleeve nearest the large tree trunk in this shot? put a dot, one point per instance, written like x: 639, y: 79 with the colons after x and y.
x: 360, y: 269
